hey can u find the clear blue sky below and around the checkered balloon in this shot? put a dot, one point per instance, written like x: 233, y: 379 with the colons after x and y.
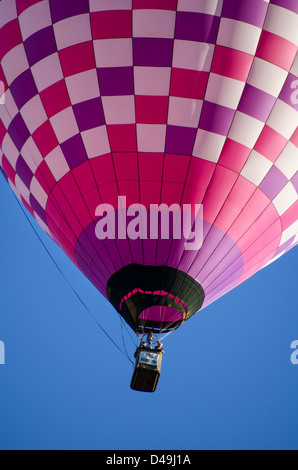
x: 227, y: 380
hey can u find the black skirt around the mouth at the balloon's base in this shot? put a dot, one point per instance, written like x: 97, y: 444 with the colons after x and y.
x: 154, y: 298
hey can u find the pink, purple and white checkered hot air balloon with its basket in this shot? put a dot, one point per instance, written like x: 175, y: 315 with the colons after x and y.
x: 113, y: 111
